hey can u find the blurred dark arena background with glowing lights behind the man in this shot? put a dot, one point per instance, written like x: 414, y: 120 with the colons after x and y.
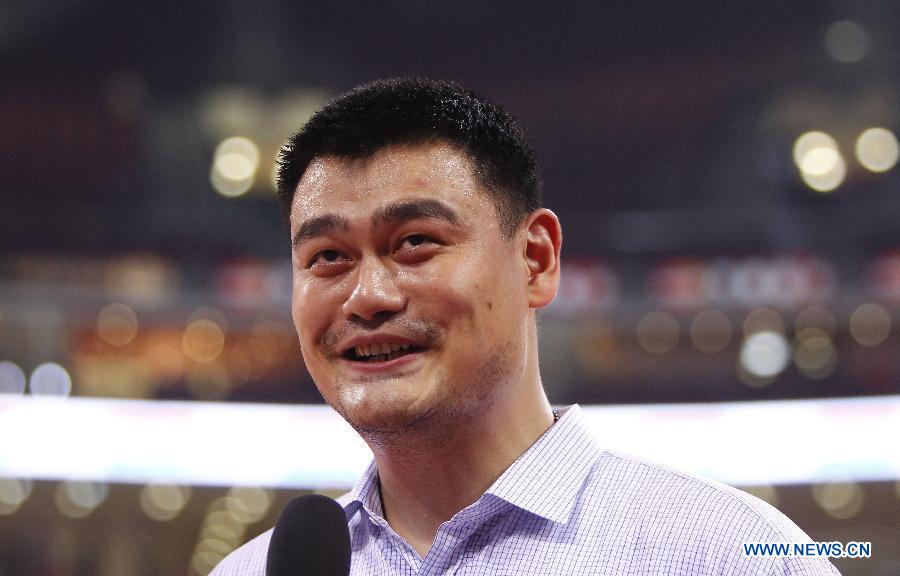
x: 725, y: 174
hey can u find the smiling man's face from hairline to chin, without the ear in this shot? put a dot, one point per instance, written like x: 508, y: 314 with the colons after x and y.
x: 410, y: 304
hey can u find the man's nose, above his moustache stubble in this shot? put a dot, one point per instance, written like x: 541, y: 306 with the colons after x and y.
x: 375, y: 294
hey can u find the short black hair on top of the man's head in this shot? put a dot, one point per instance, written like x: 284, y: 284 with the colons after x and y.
x: 411, y: 111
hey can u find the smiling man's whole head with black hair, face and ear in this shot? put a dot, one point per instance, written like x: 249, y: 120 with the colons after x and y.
x: 416, y: 272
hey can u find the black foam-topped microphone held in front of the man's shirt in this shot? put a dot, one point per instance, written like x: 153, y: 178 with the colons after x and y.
x: 310, y: 537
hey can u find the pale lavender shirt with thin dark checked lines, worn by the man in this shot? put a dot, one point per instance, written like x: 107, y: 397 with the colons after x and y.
x: 568, y: 507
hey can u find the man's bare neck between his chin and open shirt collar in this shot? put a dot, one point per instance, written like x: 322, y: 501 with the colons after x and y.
x: 426, y: 480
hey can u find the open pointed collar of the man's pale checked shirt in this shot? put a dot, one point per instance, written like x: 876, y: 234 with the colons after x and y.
x: 544, y: 480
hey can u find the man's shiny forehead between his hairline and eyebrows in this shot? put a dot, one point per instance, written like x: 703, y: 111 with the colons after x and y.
x: 356, y: 186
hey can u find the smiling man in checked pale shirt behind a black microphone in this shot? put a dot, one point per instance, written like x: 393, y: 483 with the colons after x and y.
x: 421, y: 254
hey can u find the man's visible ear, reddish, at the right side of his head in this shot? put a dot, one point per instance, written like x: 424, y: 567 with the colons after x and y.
x: 543, y: 241
